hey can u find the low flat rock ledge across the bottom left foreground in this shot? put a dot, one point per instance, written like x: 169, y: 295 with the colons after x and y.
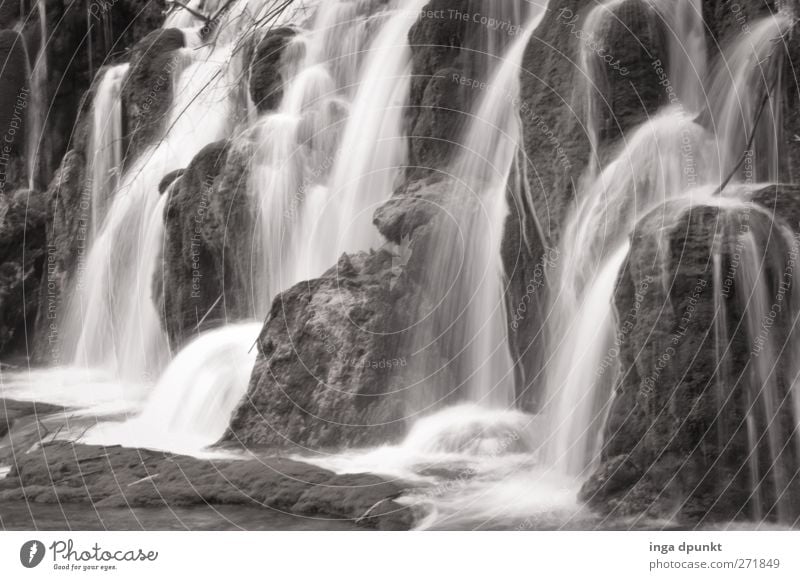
x: 125, y: 477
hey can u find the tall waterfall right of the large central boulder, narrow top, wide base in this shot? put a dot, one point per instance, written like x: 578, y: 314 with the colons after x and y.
x: 465, y: 274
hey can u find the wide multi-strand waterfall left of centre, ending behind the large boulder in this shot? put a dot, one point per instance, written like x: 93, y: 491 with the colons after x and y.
x: 332, y: 151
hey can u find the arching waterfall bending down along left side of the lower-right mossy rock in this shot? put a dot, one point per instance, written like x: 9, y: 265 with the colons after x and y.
x: 652, y: 168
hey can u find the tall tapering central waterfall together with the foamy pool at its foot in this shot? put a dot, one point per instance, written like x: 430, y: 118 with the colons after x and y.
x: 490, y: 452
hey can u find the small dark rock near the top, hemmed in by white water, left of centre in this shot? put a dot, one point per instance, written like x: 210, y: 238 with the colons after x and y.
x: 266, y: 81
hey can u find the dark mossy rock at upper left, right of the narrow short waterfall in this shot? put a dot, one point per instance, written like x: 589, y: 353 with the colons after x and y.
x: 147, y: 93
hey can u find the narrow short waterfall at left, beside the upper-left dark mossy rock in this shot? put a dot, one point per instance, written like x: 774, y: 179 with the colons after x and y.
x: 105, y: 146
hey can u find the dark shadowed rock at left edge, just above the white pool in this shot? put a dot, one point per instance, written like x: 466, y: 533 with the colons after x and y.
x: 22, y: 258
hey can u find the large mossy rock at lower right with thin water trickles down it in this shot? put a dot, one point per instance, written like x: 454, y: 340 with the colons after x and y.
x: 676, y: 440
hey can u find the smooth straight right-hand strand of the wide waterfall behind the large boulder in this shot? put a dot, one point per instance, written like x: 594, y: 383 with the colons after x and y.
x: 373, y: 149
